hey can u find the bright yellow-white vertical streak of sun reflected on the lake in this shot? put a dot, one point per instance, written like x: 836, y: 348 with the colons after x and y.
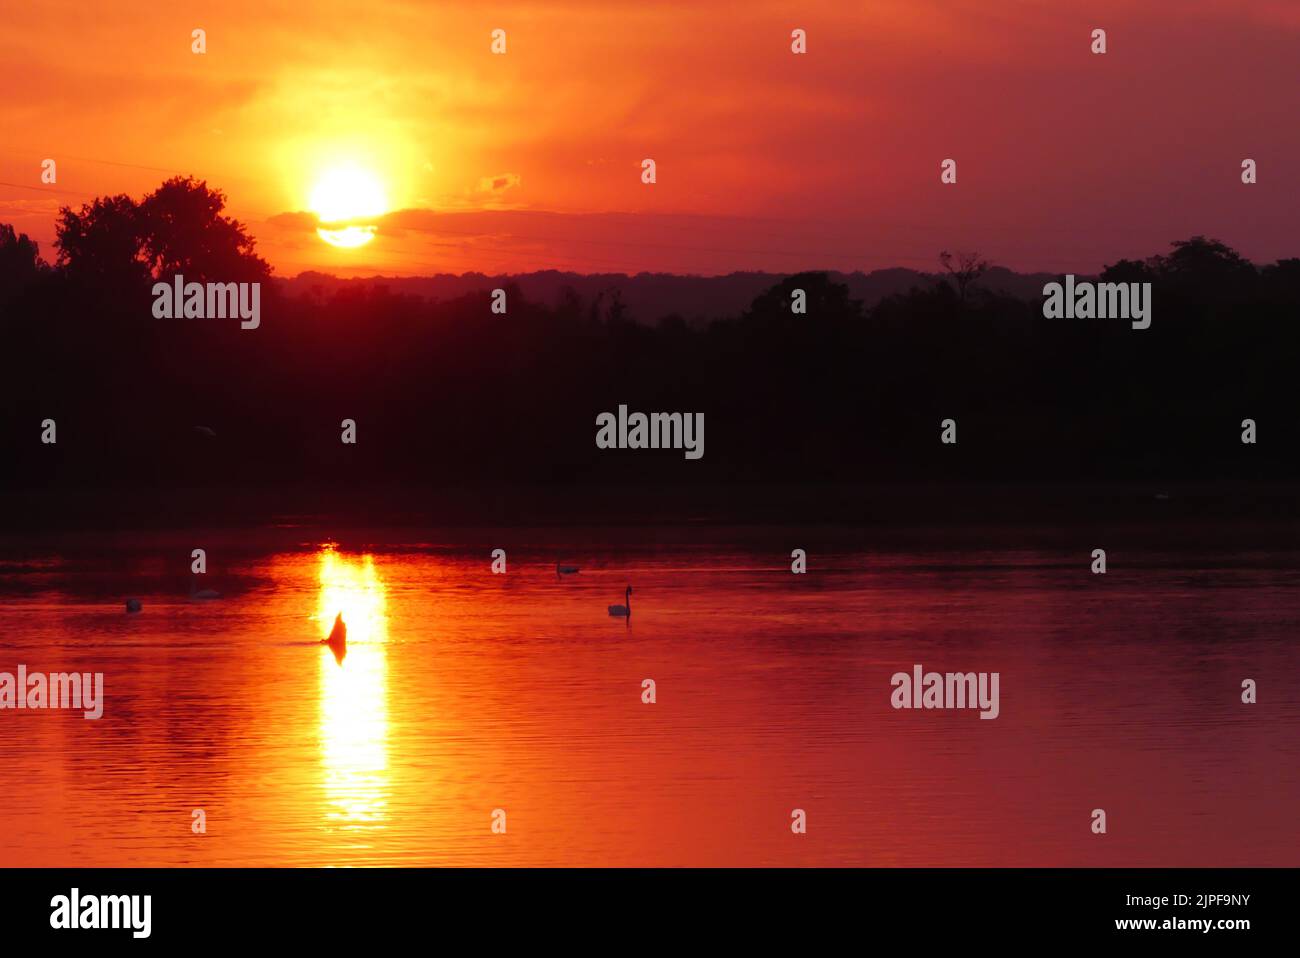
x: 354, y: 725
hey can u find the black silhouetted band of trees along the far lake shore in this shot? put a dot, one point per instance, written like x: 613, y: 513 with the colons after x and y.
x: 450, y: 393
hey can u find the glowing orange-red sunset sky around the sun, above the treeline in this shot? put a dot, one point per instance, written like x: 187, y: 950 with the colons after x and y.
x: 766, y: 161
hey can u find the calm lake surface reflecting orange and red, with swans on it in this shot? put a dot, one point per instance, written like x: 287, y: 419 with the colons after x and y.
x: 465, y: 692
